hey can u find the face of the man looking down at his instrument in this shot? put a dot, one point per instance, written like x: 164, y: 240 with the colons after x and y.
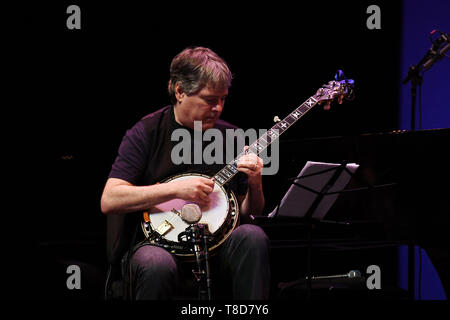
x: 205, y: 106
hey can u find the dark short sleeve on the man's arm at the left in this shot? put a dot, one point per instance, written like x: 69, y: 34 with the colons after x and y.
x: 132, y: 158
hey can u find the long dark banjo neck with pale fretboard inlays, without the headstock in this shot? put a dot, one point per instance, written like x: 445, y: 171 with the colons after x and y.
x: 230, y: 169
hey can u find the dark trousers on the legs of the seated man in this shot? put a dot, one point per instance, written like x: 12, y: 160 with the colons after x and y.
x: 242, y: 263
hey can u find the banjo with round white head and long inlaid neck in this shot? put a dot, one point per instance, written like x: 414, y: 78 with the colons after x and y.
x: 166, y: 223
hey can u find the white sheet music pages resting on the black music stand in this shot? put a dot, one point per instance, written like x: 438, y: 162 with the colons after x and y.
x: 297, y: 200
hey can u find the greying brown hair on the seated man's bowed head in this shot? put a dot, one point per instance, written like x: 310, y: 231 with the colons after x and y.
x: 195, y: 68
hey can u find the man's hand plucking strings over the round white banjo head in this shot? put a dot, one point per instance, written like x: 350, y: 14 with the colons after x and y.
x: 195, y: 190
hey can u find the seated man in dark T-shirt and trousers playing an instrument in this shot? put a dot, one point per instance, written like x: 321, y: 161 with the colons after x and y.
x: 198, y: 87
